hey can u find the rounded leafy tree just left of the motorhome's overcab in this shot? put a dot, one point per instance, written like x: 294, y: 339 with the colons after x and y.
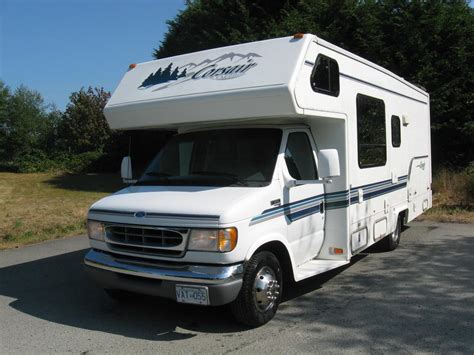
x: 83, y: 127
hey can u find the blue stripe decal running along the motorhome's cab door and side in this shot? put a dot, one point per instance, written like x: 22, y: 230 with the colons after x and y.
x: 333, y: 200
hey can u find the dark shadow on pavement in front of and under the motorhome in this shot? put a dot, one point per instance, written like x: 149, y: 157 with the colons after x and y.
x: 57, y: 289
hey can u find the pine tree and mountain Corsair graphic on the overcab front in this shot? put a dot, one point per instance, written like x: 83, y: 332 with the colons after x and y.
x: 227, y: 66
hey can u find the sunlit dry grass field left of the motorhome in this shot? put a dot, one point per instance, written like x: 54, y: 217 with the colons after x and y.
x: 43, y: 206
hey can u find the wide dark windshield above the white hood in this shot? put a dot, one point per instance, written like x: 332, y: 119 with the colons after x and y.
x: 225, y: 157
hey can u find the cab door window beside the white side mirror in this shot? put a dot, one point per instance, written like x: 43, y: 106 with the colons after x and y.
x: 299, y: 157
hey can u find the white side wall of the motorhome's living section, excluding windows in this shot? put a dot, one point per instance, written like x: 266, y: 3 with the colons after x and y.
x: 371, y: 198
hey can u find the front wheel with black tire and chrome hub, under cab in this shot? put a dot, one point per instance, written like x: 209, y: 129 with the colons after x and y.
x: 261, y: 290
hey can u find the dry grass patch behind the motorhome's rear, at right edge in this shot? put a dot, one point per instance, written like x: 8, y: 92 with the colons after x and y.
x: 453, y: 197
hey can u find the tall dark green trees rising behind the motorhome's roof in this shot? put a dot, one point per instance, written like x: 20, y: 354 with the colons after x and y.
x: 430, y: 43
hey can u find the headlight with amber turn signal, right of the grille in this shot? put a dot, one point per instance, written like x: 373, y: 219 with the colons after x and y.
x: 222, y: 240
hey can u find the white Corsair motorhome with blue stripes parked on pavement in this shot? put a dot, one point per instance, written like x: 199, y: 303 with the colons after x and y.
x: 292, y: 155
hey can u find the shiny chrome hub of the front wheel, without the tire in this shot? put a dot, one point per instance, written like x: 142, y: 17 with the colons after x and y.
x: 266, y: 289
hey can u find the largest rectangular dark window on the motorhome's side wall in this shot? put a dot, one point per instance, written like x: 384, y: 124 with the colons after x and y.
x: 371, y: 138
